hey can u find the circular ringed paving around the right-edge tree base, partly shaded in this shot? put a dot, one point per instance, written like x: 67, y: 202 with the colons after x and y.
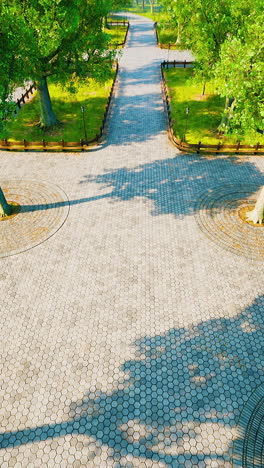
x: 218, y: 214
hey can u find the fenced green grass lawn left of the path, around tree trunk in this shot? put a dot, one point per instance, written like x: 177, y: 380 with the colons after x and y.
x: 67, y: 107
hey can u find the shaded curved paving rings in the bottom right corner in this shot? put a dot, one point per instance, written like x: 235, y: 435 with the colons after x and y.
x: 249, y: 446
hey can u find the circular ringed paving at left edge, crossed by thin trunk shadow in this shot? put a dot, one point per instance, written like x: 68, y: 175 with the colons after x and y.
x: 43, y: 210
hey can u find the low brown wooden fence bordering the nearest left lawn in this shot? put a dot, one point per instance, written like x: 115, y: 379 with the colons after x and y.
x: 62, y: 145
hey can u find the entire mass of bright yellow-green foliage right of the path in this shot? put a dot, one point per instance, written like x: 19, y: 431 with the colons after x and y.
x: 227, y: 39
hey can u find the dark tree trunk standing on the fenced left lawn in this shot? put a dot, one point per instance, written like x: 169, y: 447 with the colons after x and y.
x: 47, y: 116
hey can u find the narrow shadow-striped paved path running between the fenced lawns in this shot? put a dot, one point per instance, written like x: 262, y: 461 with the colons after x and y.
x: 138, y: 115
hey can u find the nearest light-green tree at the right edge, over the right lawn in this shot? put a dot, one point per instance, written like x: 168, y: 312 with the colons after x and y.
x: 239, y: 74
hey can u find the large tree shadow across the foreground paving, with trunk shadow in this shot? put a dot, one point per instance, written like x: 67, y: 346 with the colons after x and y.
x: 181, y: 400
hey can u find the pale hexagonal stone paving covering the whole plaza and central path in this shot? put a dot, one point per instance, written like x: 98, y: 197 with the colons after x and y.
x: 129, y: 338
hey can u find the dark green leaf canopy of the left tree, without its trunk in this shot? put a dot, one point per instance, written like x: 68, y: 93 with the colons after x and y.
x: 61, y: 39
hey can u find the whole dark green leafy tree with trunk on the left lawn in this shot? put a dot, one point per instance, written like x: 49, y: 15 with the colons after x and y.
x: 66, y: 41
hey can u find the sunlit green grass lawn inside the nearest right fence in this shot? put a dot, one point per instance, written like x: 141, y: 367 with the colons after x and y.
x: 204, y: 111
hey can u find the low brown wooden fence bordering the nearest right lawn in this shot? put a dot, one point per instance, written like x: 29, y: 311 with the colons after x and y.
x: 199, y: 147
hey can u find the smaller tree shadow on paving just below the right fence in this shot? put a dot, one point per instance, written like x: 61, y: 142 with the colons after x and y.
x: 174, y: 185
